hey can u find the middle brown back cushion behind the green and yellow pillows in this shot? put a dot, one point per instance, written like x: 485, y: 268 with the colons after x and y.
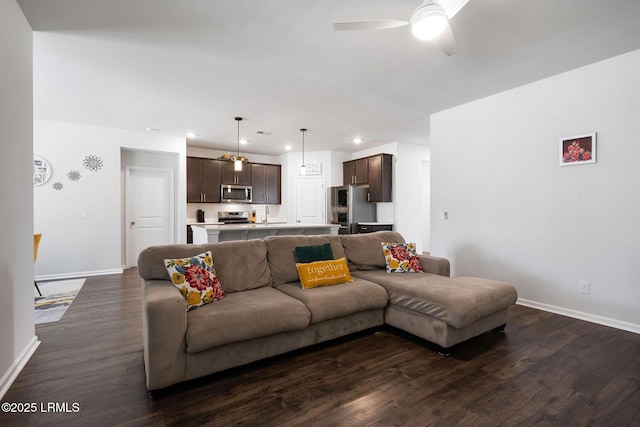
x: 281, y: 254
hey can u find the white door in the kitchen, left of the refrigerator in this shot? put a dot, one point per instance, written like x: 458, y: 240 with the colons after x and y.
x: 311, y: 206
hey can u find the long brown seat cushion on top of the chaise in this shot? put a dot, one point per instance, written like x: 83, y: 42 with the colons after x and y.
x: 458, y: 301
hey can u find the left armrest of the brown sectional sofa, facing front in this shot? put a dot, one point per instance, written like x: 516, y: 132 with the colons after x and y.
x: 164, y: 327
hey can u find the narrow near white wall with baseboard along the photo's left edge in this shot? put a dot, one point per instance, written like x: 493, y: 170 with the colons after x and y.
x: 17, y: 331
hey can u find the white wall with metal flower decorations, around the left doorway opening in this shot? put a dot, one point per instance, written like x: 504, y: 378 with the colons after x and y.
x: 72, y: 246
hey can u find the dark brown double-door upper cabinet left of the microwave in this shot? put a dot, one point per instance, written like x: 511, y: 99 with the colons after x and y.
x: 203, y: 180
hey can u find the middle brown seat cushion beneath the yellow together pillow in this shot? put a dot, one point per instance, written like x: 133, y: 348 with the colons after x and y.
x: 330, y: 302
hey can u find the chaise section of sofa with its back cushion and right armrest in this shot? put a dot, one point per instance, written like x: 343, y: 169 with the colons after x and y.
x: 431, y: 305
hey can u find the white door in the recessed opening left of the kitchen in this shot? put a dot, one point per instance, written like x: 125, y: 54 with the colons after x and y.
x: 149, y: 210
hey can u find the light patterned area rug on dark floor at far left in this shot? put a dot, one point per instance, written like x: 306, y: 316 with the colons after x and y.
x: 56, y: 298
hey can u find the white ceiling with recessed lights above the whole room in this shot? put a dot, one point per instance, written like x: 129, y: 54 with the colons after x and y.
x: 192, y: 65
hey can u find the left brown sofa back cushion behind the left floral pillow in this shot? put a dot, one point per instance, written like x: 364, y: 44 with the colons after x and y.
x: 240, y: 264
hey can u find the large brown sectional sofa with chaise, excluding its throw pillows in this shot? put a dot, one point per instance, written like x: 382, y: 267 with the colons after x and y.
x: 266, y: 312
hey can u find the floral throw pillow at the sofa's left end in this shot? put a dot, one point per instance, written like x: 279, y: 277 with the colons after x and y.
x: 196, y: 279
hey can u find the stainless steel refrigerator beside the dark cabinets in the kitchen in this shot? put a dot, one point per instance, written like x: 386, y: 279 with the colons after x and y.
x: 348, y: 206
